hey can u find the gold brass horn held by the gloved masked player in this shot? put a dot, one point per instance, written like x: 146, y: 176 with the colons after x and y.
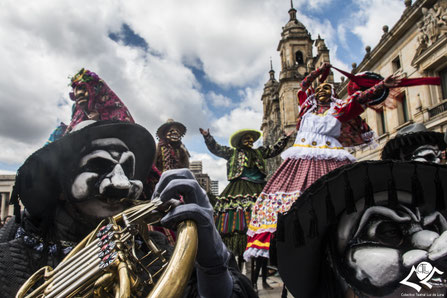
x: 109, y: 262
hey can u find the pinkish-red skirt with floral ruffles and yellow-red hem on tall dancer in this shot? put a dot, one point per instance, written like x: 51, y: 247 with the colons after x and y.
x: 283, y: 188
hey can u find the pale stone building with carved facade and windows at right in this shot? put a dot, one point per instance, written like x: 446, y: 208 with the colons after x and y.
x: 416, y: 47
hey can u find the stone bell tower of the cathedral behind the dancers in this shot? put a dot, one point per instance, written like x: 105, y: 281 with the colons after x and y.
x: 280, y: 106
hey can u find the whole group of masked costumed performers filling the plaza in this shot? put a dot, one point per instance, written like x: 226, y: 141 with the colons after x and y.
x: 319, y: 218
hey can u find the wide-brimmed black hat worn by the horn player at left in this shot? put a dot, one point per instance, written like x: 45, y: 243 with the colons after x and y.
x: 39, y: 181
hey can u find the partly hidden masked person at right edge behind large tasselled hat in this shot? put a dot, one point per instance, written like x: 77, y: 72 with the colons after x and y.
x: 415, y: 142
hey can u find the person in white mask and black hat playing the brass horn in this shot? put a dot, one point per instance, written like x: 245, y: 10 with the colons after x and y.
x: 71, y: 184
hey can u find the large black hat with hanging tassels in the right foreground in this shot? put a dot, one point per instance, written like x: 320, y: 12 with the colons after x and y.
x: 302, y: 232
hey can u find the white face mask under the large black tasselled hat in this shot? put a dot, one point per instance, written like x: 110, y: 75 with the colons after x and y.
x: 380, y: 246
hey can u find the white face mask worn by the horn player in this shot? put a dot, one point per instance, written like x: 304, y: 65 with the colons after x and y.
x: 103, y: 185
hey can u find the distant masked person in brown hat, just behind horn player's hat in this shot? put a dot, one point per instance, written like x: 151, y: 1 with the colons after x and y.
x: 171, y: 153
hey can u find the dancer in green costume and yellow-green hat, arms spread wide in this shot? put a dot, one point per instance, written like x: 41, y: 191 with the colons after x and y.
x: 246, y: 173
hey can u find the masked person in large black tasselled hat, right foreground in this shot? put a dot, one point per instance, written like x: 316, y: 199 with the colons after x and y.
x: 370, y: 229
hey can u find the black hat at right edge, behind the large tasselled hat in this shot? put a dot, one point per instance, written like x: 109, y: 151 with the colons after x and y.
x: 409, y: 138
